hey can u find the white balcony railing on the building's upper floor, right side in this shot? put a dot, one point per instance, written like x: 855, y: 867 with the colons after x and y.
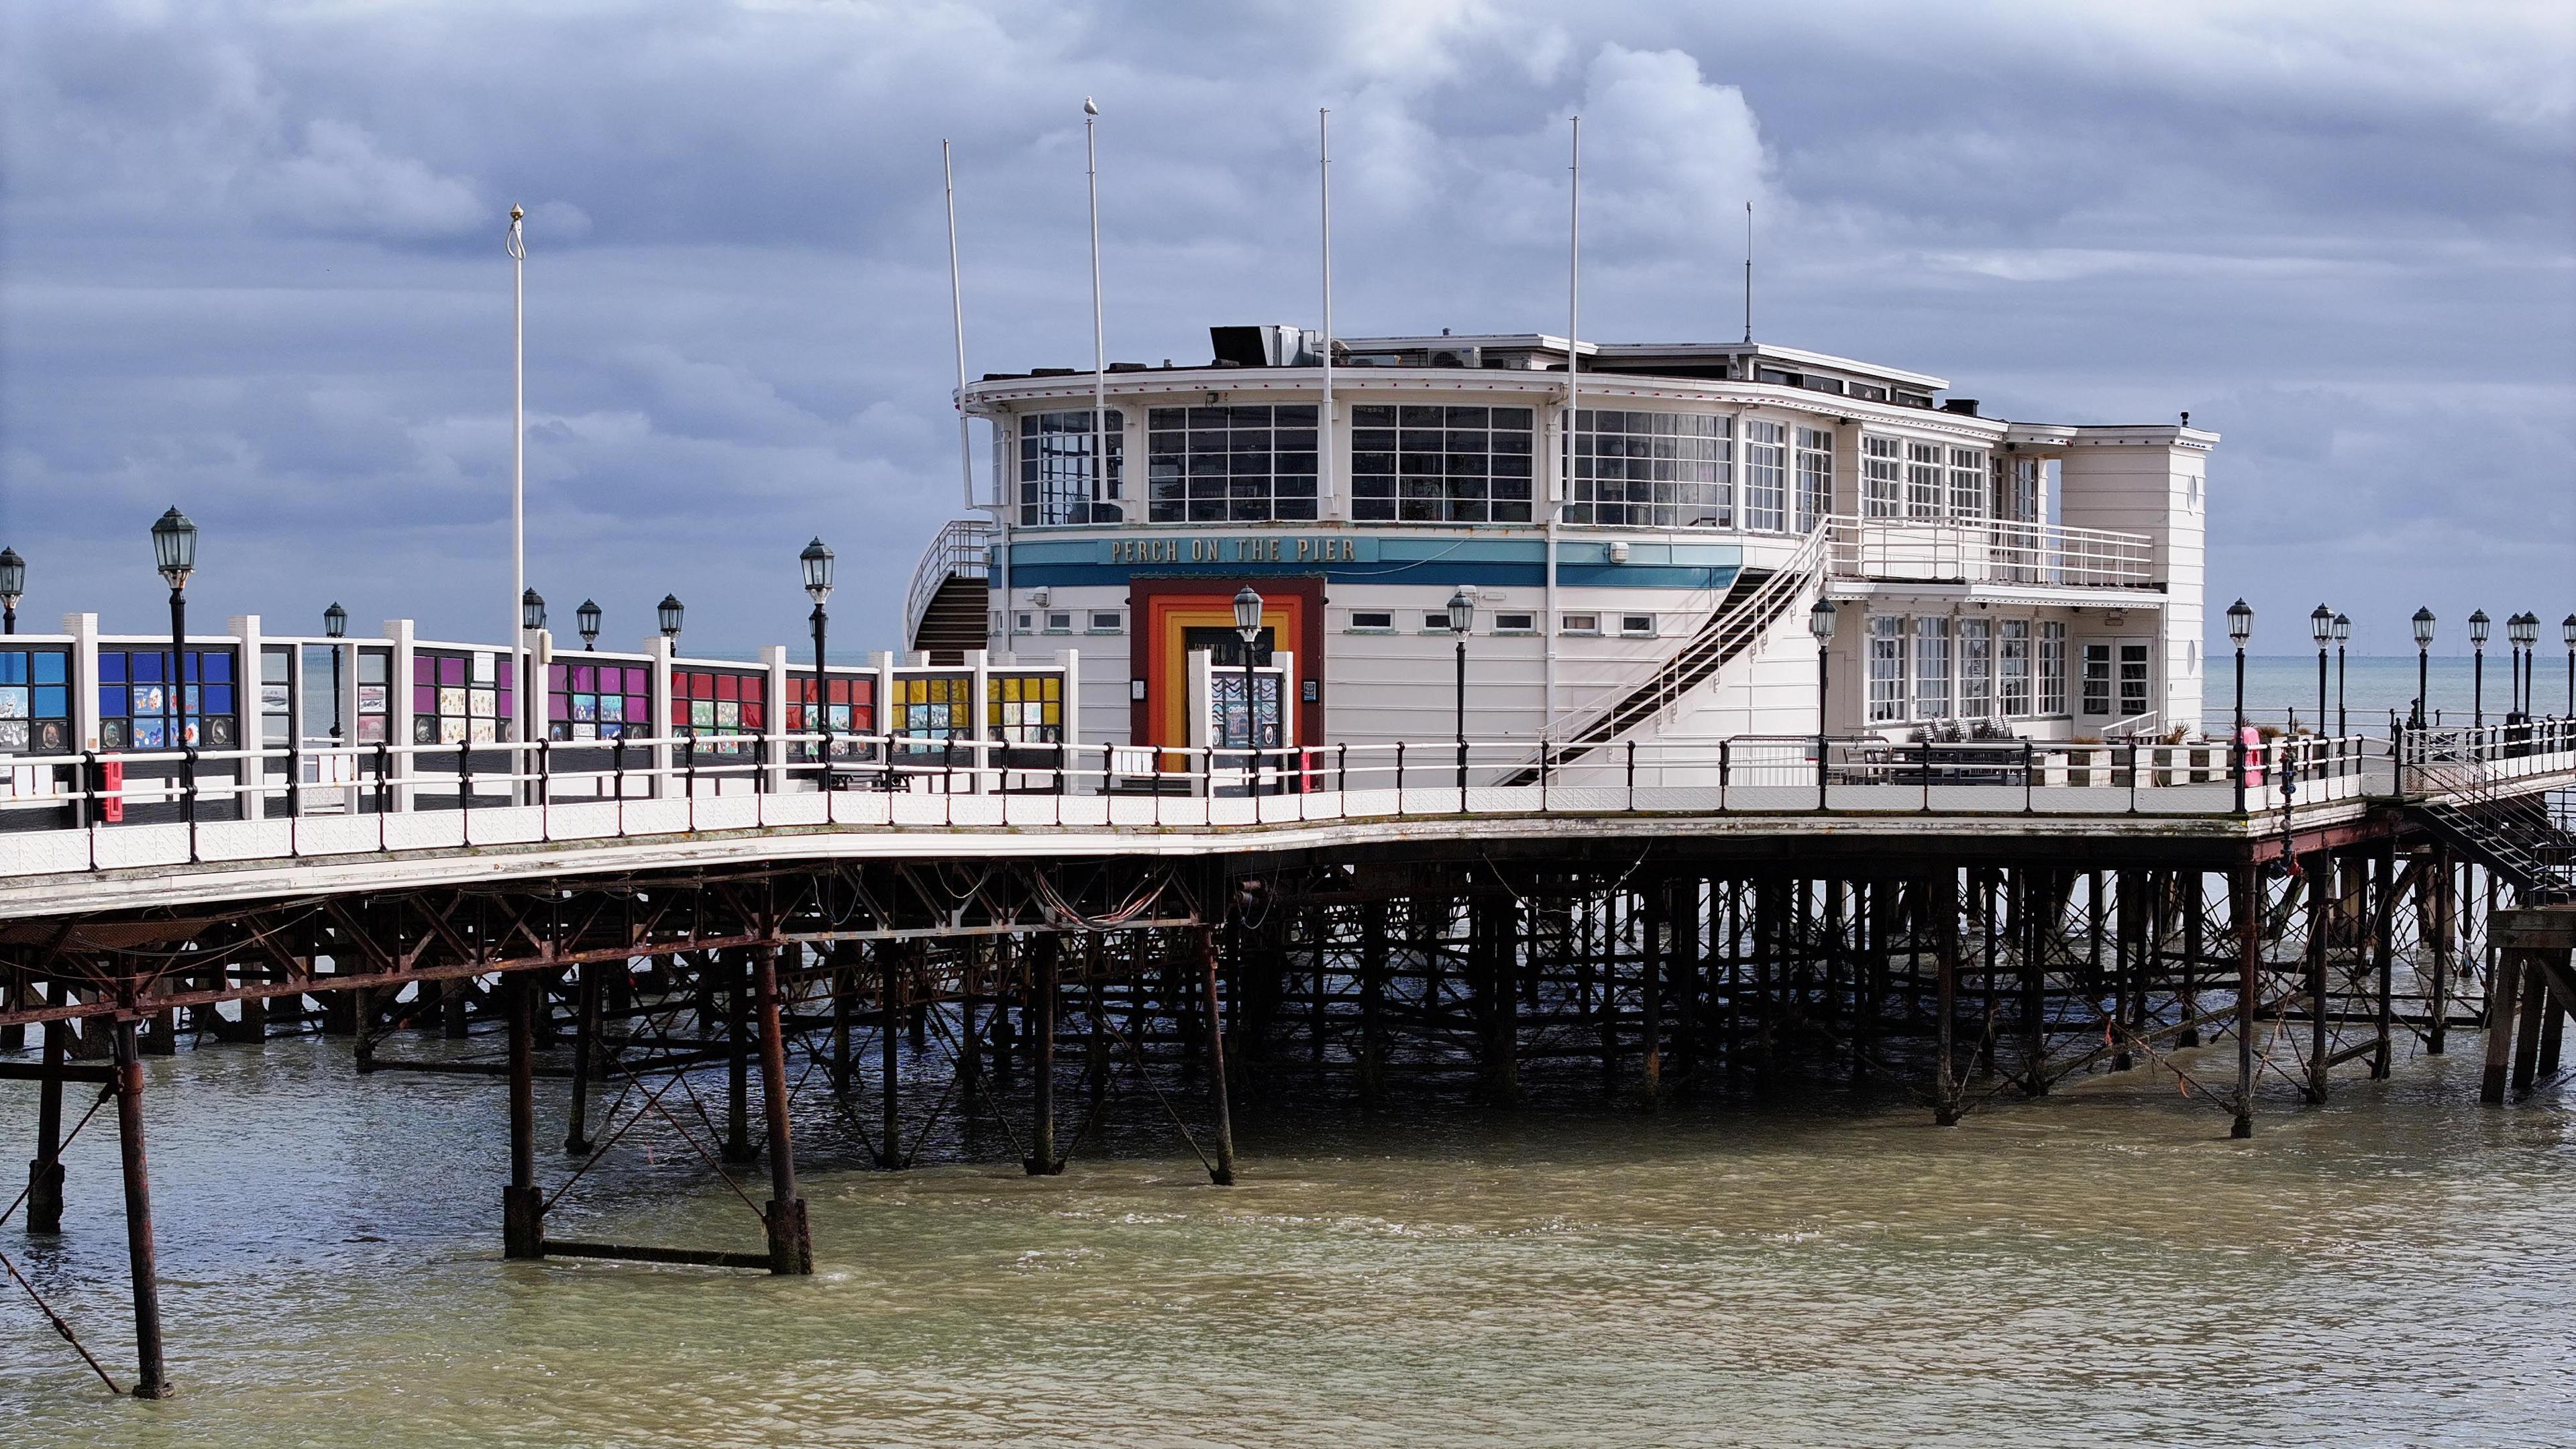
x: 1926, y: 550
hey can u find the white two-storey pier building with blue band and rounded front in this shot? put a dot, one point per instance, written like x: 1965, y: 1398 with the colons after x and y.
x: 1660, y: 579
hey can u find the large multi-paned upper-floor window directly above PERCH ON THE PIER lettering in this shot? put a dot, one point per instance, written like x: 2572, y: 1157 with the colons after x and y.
x: 1230, y: 465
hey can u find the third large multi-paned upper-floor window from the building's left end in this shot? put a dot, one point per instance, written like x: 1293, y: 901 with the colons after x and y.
x: 1441, y: 465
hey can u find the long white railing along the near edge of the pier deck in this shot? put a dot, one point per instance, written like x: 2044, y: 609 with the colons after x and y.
x: 151, y: 811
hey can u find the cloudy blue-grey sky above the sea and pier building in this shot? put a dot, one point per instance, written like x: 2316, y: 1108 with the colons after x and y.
x: 254, y: 262
